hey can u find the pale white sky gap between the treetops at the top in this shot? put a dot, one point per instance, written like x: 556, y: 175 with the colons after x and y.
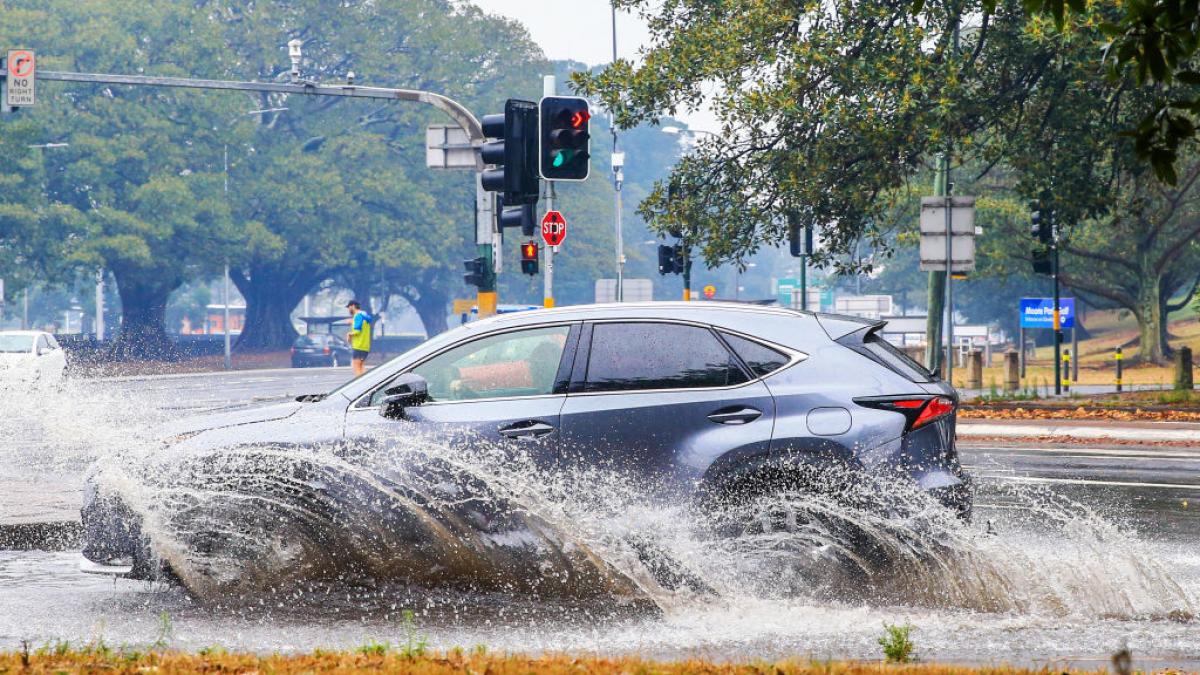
x: 553, y: 26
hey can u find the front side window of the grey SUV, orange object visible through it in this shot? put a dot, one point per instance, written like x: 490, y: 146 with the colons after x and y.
x: 523, y: 363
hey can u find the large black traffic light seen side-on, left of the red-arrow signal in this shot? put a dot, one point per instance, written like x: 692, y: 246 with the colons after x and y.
x: 513, y: 153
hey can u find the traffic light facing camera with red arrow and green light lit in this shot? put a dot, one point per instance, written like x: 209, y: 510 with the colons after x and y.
x: 566, y: 139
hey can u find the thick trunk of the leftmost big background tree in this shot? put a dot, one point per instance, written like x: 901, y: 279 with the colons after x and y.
x: 143, y: 334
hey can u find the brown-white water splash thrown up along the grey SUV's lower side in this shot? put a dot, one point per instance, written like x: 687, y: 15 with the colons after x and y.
x: 465, y: 516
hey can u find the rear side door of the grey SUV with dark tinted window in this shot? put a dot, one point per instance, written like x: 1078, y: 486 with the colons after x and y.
x: 663, y: 401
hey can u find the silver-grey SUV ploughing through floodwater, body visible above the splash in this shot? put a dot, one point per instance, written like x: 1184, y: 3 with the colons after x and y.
x: 704, y: 401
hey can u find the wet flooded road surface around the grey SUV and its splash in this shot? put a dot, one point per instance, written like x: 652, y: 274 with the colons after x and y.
x: 1076, y: 551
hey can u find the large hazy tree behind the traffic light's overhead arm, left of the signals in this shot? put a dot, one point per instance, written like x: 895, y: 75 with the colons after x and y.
x: 373, y: 223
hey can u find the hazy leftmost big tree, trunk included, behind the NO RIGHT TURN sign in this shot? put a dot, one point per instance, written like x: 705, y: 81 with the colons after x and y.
x: 140, y: 172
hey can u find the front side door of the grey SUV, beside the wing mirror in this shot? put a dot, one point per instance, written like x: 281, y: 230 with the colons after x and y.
x: 502, y: 387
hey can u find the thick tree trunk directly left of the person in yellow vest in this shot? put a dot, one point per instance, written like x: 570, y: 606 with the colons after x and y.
x: 271, y: 298
